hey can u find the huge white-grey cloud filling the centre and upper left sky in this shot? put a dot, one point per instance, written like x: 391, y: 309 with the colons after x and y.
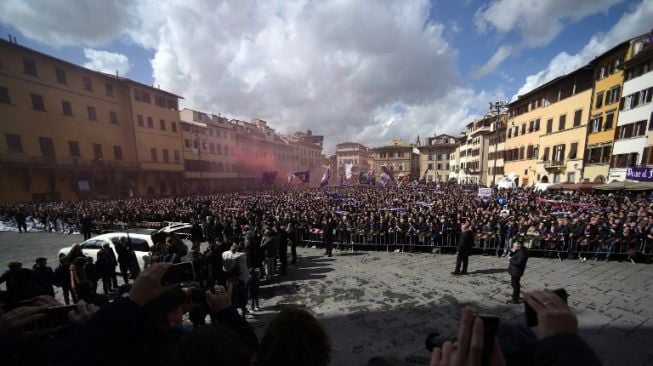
x: 336, y: 67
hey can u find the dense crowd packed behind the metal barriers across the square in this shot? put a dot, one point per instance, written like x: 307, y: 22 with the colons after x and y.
x: 595, y: 225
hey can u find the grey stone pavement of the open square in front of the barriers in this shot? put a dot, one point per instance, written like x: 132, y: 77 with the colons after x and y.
x: 383, y: 304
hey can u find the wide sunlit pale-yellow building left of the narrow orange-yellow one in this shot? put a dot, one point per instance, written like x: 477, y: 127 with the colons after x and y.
x: 556, y: 113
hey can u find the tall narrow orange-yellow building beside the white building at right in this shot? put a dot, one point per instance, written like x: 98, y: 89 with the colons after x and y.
x: 608, y: 76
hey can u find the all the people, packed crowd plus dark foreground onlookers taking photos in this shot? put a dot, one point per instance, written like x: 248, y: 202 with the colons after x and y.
x: 249, y: 237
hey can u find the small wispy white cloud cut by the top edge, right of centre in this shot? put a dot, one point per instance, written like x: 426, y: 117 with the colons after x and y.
x: 538, y: 21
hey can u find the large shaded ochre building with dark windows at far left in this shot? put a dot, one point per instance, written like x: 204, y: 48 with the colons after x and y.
x: 69, y: 132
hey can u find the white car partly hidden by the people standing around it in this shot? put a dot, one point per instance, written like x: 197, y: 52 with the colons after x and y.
x: 141, y: 243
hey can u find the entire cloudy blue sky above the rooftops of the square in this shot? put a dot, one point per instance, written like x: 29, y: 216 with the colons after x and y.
x: 353, y: 70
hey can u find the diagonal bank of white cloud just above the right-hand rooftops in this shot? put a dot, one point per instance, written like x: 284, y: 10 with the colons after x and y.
x: 631, y: 24
